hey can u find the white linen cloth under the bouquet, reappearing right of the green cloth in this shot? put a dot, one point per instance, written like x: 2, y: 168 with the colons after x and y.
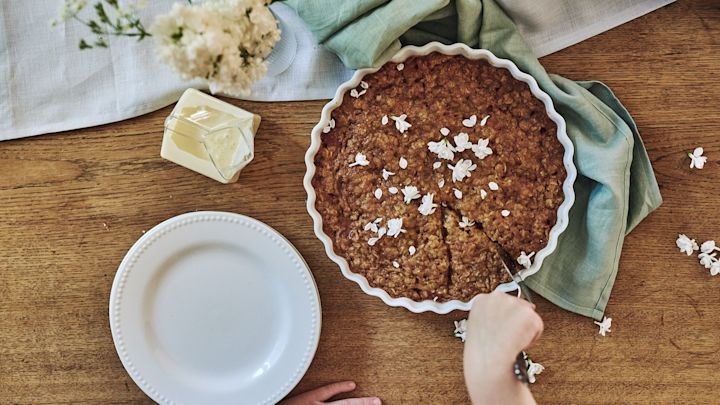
x: 48, y: 85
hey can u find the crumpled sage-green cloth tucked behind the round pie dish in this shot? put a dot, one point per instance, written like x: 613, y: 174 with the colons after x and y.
x: 615, y: 188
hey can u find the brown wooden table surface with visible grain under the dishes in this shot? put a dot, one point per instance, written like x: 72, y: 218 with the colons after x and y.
x: 73, y: 203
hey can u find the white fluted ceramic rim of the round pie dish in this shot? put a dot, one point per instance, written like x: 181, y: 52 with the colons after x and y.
x: 454, y: 49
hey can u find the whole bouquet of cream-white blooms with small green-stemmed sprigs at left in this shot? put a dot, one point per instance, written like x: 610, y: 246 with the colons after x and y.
x: 224, y: 42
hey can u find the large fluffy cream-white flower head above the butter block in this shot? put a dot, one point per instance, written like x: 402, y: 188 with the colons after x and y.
x: 224, y: 42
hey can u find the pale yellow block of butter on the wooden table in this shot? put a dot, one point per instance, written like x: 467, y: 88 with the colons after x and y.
x: 209, y: 136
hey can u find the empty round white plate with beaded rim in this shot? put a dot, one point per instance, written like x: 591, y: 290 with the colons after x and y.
x: 214, y: 308
